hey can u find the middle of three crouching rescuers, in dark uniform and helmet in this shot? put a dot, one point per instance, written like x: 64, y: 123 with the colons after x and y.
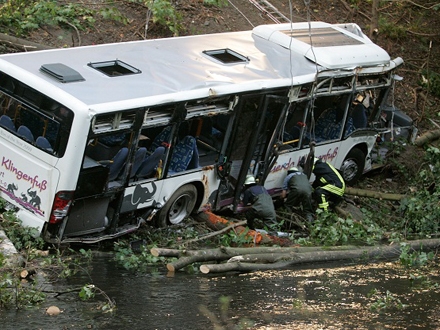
x: 298, y: 190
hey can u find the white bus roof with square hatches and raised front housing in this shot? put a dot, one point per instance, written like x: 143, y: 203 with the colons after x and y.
x: 159, y: 71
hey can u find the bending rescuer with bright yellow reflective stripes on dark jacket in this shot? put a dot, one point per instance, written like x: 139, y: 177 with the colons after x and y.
x: 329, y: 186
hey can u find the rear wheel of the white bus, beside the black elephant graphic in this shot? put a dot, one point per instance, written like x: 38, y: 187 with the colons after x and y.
x: 178, y: 207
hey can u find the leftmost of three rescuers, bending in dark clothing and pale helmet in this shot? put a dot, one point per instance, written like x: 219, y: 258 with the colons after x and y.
x: 261, y: 204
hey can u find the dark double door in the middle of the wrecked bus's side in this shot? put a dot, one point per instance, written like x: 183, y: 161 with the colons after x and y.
x: 250, y: 149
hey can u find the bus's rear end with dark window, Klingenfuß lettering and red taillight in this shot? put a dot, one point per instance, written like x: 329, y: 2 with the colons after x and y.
x: 33, y: 136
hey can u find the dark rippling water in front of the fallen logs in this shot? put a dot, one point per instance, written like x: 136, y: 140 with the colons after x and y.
x: 323, y: 297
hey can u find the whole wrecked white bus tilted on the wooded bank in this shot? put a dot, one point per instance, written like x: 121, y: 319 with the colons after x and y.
x: 96, y: 140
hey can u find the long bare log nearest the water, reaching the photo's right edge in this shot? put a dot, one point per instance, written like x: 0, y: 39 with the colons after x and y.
x: 252, y: 262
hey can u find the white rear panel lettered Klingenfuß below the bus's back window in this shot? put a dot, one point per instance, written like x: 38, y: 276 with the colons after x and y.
x: 26, y: 181
